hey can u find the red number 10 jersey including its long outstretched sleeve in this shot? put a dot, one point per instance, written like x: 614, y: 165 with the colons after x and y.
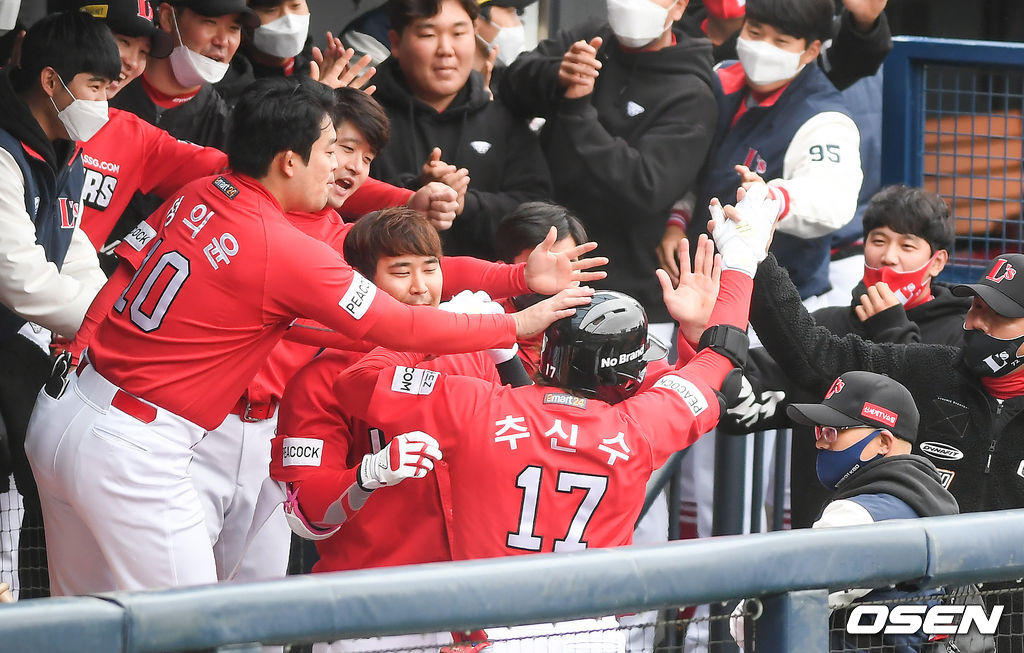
x: 220, y: 283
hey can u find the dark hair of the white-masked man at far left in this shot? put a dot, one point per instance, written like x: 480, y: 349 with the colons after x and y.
x: 70, y: 42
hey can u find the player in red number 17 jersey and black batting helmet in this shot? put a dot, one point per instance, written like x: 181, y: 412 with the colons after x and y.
x: 556, y: 467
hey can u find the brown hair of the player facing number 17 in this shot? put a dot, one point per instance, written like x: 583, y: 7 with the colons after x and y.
x: 394, y: 232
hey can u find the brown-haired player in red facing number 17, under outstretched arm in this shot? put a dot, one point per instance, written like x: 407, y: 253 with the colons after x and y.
x: 402, y: 253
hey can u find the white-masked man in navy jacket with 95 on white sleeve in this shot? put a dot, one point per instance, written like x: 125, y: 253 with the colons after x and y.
x: 784, y: 121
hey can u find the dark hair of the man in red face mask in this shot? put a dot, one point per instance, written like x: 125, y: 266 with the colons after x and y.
x: 912, y: 211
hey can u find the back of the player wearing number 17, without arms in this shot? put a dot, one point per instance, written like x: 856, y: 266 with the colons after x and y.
x: 540, y: 470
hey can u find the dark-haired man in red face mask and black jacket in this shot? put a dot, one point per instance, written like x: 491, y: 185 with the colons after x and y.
x: 908, y: 234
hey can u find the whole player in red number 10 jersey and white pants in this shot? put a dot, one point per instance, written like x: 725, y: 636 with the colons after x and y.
x: 216, y: 289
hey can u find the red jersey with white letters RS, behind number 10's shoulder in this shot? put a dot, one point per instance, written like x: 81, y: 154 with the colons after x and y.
x: 130, y: 155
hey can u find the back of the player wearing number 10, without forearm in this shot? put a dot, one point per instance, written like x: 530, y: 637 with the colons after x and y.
x: 209, y: 300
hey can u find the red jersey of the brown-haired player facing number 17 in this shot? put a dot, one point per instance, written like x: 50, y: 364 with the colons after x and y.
x: 319, y: 450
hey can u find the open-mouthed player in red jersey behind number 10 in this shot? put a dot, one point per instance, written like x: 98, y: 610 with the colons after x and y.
x: 231, y: 464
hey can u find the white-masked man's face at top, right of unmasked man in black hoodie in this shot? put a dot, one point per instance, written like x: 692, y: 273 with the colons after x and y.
x: 499, y: 28
